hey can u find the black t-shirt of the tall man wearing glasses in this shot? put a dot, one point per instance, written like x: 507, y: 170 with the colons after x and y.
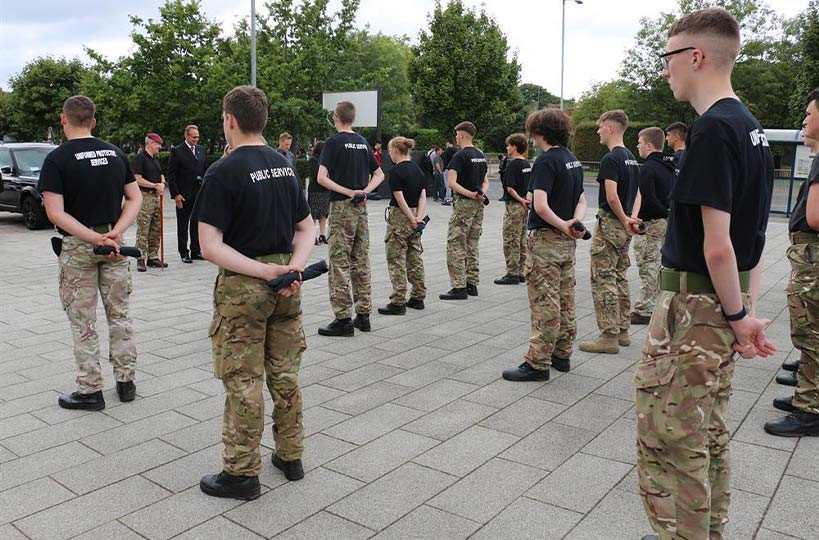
x: 728, y: 166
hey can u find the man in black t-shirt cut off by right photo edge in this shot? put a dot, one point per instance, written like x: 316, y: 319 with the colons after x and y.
x: 803, y: 296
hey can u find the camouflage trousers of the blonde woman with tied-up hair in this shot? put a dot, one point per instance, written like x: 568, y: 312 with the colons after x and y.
x: 404, y: 262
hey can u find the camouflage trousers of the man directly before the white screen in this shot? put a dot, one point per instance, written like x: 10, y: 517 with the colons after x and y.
x: 349, y: 247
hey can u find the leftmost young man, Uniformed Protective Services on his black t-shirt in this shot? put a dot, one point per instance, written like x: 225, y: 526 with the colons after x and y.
x: 83, y: 182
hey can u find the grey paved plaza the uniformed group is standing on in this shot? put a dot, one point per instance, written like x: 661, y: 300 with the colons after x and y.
x: 411, y: 432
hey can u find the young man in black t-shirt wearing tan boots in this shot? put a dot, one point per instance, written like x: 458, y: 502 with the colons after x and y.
x: 617, y: 196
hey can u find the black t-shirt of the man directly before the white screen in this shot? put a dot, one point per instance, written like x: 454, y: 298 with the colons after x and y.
x: 349, y: 162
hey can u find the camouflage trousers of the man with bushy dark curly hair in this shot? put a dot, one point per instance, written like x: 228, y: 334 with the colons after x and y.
x: 550, y: 279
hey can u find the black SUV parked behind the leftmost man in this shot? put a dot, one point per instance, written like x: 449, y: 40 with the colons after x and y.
x: 20, y: 165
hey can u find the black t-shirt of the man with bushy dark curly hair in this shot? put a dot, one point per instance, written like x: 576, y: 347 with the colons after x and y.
x: 557, y: 172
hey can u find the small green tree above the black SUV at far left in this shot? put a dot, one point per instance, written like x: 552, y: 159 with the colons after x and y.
x: 38, y: 93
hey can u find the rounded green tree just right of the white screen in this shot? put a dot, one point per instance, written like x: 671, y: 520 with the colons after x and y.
x: 461, y: 70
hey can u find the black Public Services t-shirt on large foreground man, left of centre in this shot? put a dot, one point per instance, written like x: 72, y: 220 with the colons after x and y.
x: 254, y: 197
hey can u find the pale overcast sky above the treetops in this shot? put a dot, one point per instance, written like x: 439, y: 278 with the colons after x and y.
x: 598, y: 33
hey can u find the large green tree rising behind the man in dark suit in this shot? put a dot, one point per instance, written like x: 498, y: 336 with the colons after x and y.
x: 166, y: 82
